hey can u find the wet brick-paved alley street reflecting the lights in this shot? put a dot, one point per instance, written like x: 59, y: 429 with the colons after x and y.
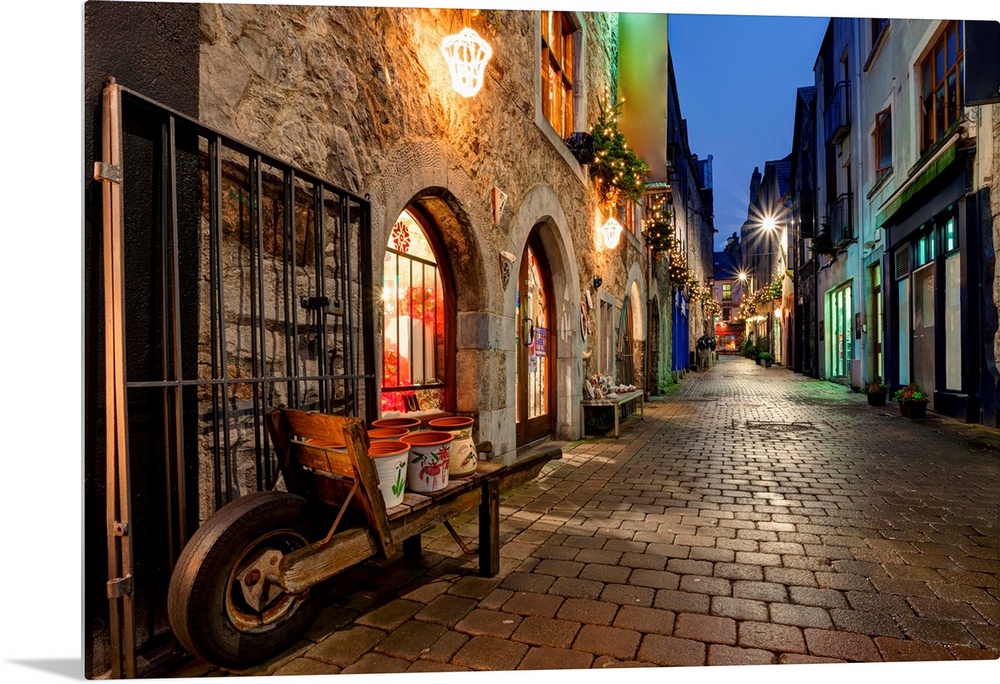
x: 753, y: 516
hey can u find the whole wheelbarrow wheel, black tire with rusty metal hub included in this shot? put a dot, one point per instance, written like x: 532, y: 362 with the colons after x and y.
x: 221, y: 603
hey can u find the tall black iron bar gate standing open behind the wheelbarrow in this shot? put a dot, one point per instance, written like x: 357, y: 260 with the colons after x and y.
x: 234, y: 283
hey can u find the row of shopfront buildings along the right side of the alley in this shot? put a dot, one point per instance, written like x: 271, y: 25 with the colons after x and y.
x: 877, y: 234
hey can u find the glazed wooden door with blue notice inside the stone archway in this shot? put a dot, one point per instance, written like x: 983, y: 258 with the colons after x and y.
x: 535, y: 345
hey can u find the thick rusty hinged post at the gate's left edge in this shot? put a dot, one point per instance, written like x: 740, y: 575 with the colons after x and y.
x: 121, y: 604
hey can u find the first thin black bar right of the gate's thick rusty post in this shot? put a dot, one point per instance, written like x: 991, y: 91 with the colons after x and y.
x: 178, y: 375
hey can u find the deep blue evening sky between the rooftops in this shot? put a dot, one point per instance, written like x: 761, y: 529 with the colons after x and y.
x: 736, y: 81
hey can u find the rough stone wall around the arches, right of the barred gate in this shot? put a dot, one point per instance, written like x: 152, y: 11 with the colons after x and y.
x: 360, y: 96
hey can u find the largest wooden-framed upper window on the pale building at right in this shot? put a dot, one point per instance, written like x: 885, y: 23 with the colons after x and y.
x: 941, y: 76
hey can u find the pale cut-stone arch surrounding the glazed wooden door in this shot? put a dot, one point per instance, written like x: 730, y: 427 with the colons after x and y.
x: 540, y: 209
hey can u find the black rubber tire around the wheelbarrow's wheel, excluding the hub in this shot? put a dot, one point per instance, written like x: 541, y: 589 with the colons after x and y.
x: 196, y: 600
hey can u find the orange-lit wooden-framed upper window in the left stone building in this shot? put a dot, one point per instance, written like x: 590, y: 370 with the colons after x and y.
x: 557, y: 71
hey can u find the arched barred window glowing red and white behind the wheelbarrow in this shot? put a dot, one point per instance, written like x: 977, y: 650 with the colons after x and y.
x: 416, y: 321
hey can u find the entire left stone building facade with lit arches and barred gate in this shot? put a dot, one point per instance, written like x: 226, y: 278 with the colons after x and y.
x: 360, y: 100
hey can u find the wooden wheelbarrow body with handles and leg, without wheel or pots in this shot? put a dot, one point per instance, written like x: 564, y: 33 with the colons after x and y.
x: 346, y: 482
